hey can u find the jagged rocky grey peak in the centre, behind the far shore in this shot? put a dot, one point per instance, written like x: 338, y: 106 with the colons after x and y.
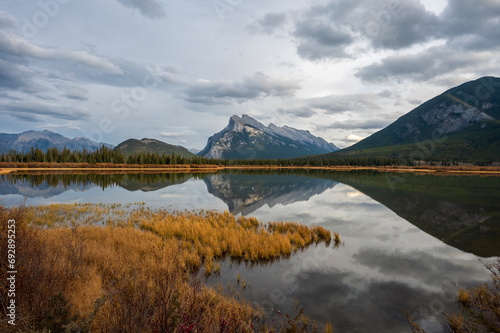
x: 246, y: 138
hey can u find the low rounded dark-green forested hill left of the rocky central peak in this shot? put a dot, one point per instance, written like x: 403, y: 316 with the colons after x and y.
x: 132, y: 146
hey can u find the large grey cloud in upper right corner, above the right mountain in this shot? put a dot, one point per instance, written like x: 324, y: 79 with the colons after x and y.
x: 471, y: 31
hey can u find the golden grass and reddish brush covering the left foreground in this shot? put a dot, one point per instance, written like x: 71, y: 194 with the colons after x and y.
x: 107, y: 268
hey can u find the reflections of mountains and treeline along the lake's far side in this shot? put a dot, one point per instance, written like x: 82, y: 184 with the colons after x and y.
x: 463, y: 211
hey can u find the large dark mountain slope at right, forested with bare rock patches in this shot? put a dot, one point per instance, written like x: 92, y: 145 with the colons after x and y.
x: 463, y: 123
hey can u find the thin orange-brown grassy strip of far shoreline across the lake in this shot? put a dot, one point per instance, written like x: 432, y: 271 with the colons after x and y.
x: 437, y: 170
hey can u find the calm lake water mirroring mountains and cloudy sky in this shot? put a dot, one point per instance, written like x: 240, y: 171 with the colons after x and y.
x: 410, y: 241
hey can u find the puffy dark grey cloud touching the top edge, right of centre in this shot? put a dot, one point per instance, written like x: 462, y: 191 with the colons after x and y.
x: 326, y: 31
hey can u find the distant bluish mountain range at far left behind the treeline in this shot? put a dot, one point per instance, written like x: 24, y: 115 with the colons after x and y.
x: 43, y: 140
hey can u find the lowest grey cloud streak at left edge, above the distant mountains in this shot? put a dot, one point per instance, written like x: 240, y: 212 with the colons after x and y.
x: 31, y: 111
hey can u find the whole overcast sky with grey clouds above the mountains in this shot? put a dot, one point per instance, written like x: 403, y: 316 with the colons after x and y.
x: 175, y: 71
